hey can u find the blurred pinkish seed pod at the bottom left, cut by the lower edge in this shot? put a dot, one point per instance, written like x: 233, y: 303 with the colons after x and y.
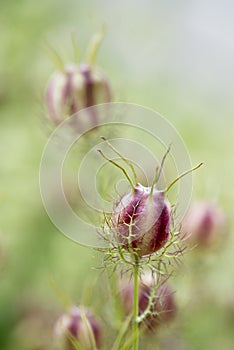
x: 79, y: 325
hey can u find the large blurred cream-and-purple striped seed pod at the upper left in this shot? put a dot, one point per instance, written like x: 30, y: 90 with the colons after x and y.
x: 75, y: 88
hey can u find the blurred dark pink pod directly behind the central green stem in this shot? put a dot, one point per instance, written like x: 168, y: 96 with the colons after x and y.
x: 163, y: 306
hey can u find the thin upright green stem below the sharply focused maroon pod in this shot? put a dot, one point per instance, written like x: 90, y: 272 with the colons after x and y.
x: 136, y: 306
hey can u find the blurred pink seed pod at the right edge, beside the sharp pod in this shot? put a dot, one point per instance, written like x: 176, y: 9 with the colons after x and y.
x: 204, y: 224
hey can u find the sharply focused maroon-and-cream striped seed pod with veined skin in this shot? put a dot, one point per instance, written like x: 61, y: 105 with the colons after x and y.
x: 141, y: 220
